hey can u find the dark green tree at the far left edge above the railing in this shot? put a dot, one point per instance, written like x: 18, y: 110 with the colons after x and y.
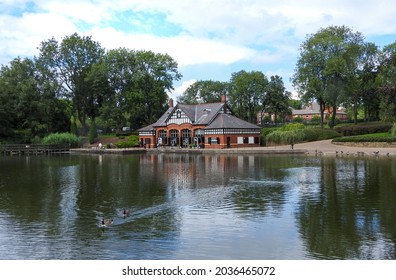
x: 27, y: 104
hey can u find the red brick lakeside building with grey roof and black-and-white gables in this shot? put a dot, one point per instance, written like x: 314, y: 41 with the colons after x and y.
x: 209, y: 125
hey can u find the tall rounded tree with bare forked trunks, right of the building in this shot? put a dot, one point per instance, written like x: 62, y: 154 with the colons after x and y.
x: 327, y: 66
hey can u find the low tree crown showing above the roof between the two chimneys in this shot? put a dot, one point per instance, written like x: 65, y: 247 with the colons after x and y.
x: 204, y: 92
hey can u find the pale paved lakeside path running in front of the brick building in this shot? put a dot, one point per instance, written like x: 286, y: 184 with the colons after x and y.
x: 323, y: 148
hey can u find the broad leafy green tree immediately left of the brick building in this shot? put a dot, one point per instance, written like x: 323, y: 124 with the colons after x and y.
x: 137, y: 86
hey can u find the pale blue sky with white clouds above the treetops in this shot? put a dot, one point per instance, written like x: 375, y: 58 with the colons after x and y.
x: 209, y: 39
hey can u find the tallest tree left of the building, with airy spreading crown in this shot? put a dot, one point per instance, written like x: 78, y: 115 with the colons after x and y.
x: 70, y: 63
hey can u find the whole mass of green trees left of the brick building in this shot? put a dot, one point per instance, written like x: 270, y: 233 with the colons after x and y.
x: 77, y: 80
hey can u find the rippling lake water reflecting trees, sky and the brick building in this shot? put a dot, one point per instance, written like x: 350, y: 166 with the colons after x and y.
x: 197, y: 207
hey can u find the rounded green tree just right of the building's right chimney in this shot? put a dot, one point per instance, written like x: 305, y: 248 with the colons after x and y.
x: 247, y: 90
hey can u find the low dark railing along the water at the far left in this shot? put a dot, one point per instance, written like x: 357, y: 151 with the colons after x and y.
x: 35, y: 149
